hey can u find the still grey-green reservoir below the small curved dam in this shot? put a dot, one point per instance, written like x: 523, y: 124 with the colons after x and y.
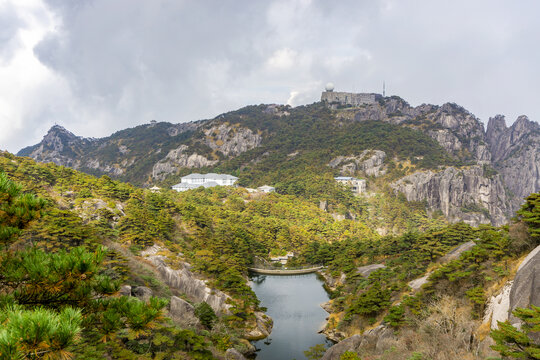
x: 293, y: 302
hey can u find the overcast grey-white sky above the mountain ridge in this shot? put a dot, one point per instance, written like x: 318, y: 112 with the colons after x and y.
x: 98, y: 66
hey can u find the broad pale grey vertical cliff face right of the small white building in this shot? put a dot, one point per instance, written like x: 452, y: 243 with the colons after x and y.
x: 466, y: 194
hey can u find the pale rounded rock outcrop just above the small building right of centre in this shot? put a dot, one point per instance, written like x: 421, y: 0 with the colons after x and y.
x: 370, y: 162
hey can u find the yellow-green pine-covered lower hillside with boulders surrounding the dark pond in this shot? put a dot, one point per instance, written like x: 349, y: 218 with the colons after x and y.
x: 194, y: 248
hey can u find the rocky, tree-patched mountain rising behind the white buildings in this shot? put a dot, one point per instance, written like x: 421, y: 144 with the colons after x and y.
x: 439, y: 155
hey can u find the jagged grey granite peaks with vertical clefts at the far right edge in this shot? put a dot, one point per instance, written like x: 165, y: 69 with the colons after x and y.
x: 516, y: 155
